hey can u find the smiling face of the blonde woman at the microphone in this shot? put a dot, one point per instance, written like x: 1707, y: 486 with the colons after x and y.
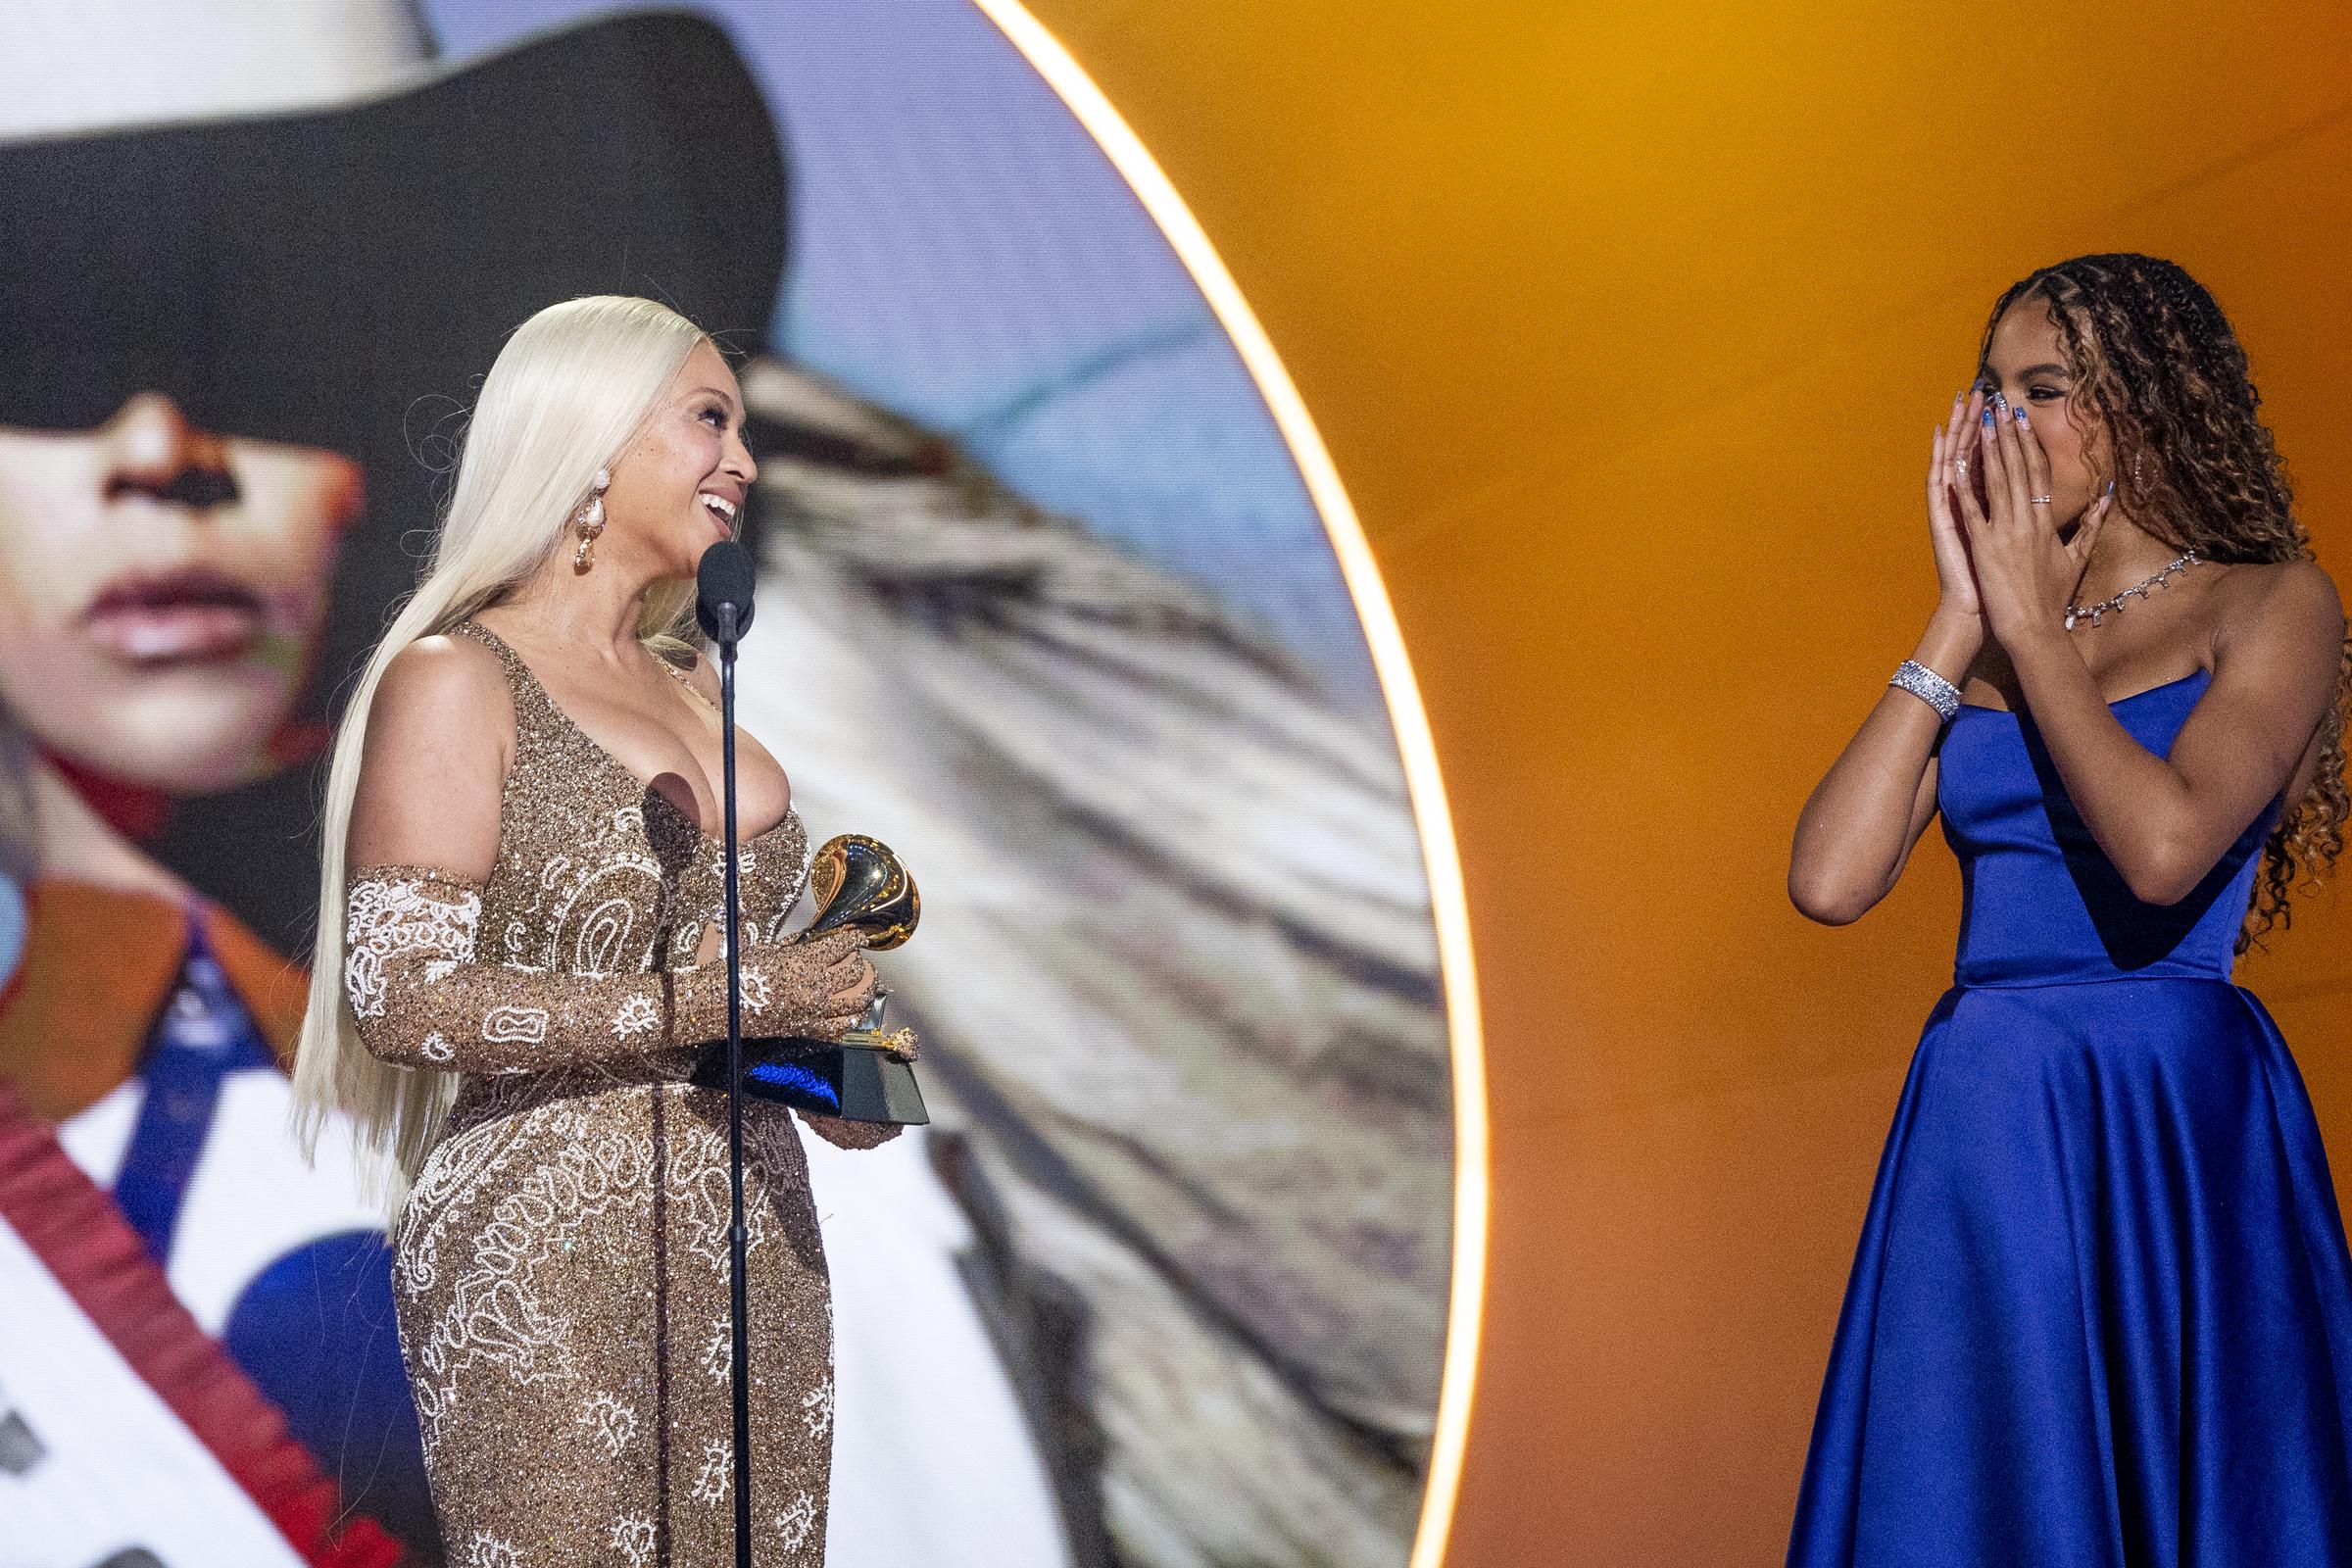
x: 681, y: 483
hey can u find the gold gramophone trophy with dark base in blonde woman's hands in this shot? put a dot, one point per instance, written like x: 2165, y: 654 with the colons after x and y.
x: 864, y: 1076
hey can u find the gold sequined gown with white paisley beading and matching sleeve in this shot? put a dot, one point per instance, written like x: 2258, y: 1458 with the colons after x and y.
x: 561, y: 1264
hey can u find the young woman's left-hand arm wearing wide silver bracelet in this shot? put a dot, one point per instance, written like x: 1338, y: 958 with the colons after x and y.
x: 1866, y: 815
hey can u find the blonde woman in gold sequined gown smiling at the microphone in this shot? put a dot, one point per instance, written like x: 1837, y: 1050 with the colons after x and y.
x: 521, y: 833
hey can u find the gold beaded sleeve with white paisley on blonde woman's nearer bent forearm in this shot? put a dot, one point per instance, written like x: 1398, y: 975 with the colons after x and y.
x: 425, y: 1000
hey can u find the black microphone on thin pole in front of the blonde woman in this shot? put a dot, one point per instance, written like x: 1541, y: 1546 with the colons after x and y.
x: 723, y: 610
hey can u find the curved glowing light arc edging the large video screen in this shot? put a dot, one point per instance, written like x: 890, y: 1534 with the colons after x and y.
x: 1441, y: 857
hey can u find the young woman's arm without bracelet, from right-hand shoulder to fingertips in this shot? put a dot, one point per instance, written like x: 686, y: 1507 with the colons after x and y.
x: 2163, y: 822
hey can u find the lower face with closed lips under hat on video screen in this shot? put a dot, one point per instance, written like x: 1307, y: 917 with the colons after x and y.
x: 161, y: 591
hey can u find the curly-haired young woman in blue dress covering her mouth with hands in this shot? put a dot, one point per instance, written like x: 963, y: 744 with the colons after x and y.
x: 2102, y: 1311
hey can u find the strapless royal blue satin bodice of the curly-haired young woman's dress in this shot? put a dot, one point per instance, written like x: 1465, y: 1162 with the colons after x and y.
x: 2043, y: 904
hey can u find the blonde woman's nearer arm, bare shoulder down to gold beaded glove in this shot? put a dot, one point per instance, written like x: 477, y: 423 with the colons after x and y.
x: 425, y: 836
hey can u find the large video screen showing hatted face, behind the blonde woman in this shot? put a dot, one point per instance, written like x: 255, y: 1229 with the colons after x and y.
x: 1045, y: 605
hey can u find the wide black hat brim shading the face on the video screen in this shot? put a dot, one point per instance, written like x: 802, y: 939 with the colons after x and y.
x: 335, y: 274
